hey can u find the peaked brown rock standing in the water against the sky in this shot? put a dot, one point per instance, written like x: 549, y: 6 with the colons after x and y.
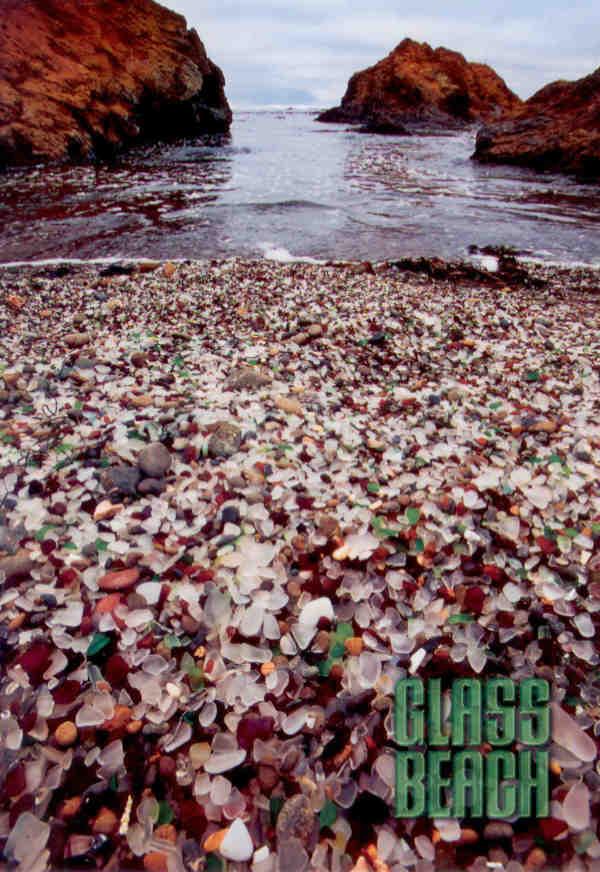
x: 417, y: 85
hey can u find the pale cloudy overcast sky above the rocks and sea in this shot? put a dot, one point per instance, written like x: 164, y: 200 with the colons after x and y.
x: 284, y: 52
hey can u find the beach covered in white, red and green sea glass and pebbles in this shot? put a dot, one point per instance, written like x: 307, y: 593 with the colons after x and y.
x: 238, y: 501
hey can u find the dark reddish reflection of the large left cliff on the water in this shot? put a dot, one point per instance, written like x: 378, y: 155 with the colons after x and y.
x: 111, y: 209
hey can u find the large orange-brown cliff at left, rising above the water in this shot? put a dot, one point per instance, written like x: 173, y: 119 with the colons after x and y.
x: 86, y: 77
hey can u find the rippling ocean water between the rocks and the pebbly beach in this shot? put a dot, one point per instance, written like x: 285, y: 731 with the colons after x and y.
x: 285, y: 186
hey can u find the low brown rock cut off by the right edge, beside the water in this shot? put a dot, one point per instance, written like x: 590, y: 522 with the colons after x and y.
x: 556, y: 129
